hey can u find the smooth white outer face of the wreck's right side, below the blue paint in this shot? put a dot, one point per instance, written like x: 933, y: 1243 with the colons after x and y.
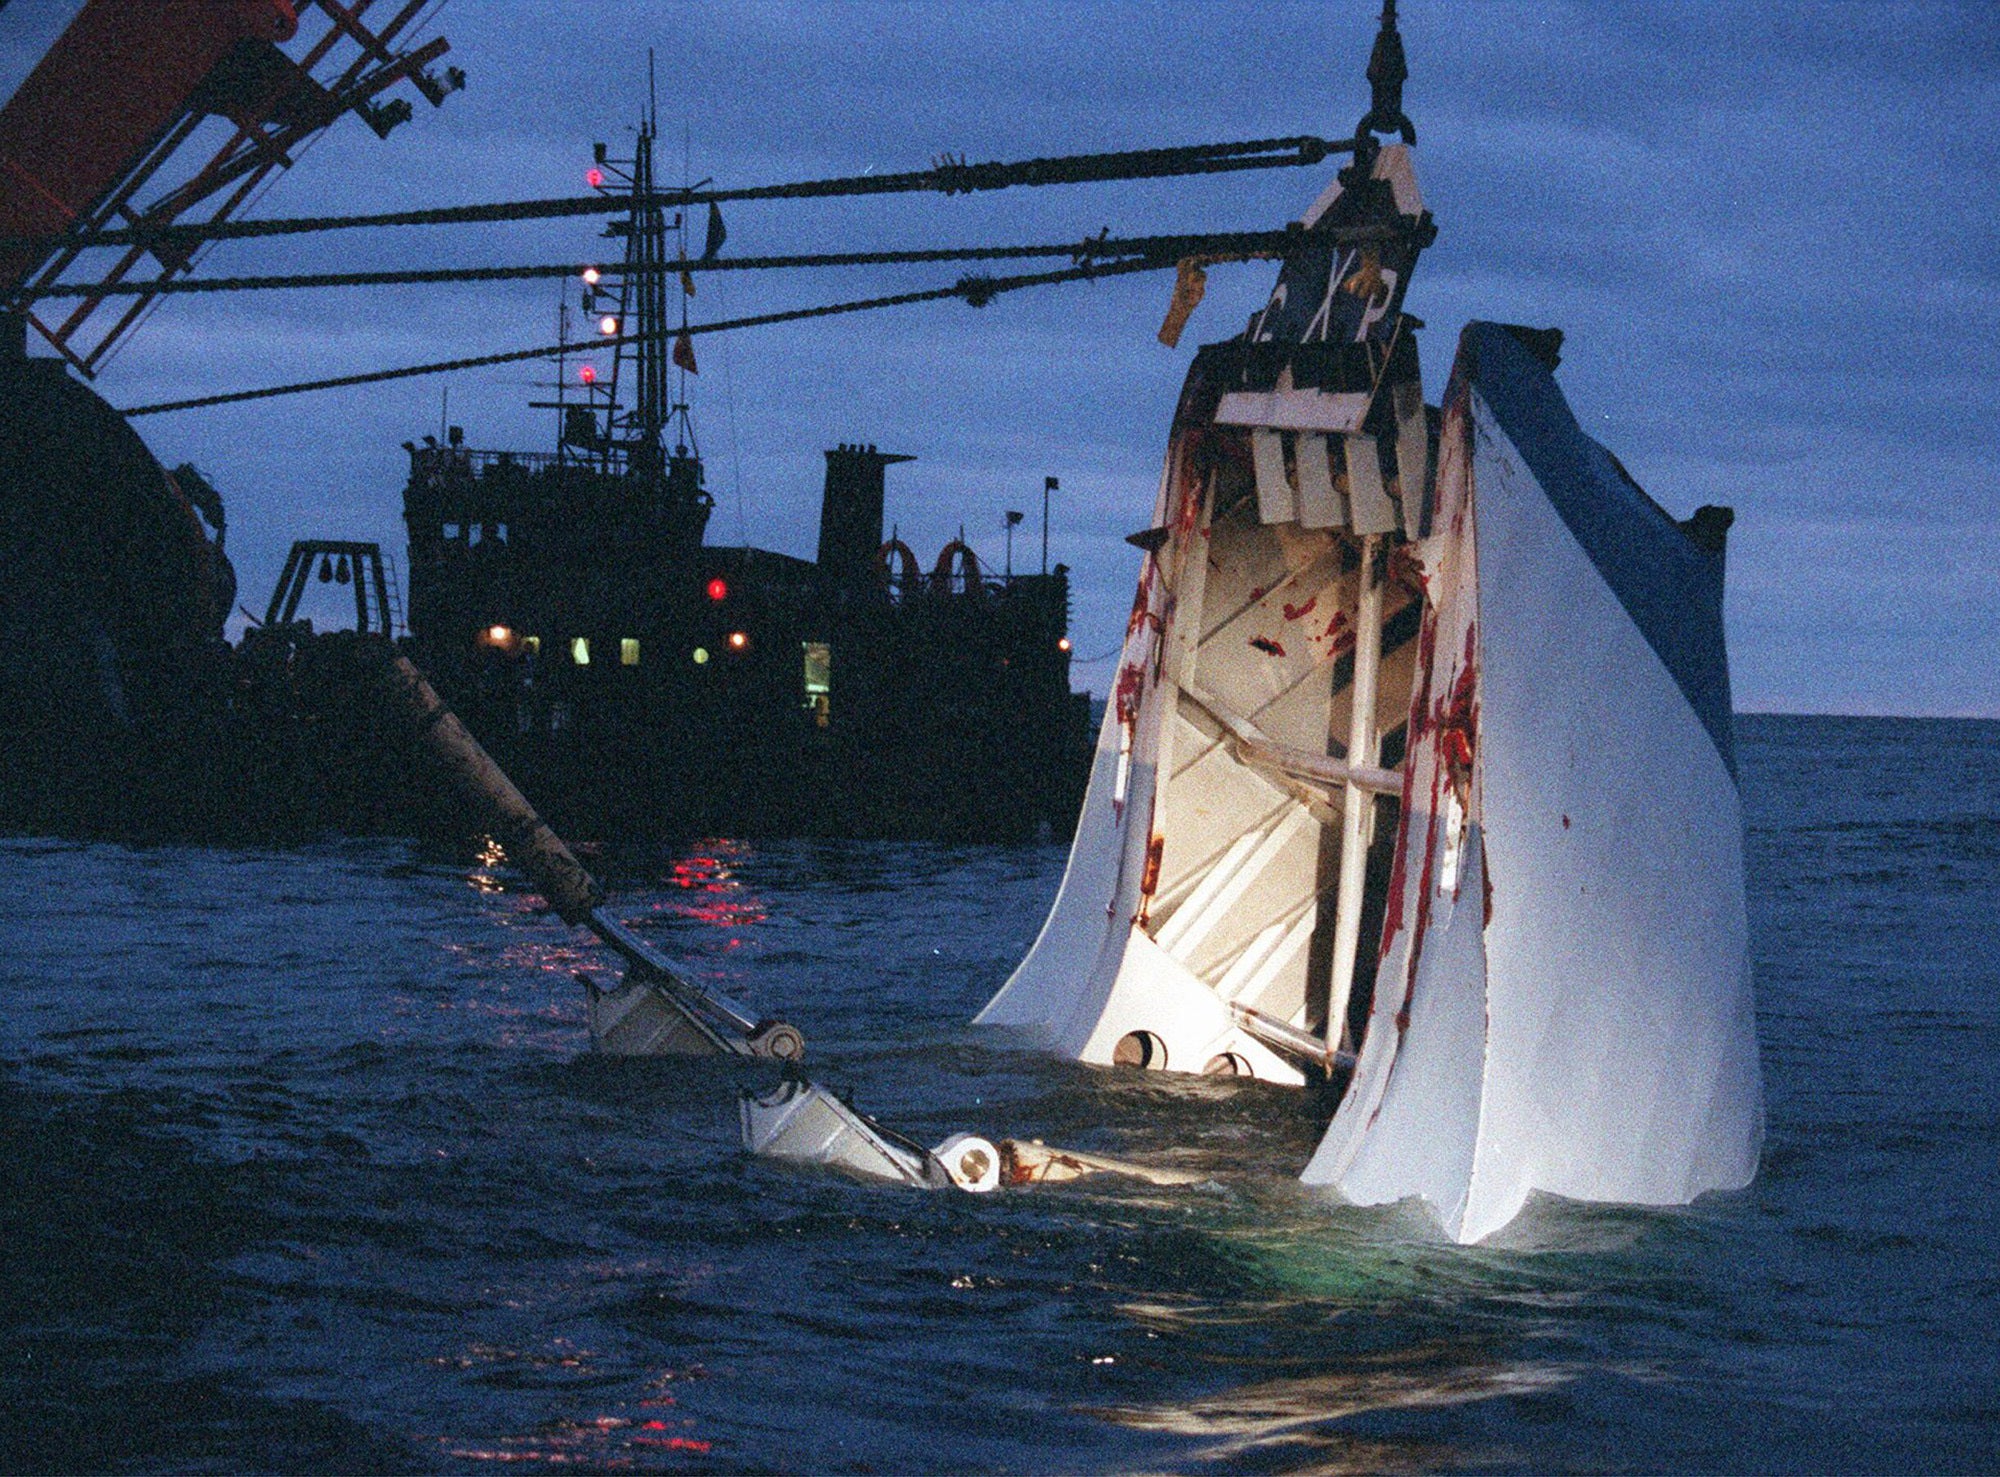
x: 1623, y: 1052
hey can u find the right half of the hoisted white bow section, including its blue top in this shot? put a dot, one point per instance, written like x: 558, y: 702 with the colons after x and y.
x: 1565, y: 992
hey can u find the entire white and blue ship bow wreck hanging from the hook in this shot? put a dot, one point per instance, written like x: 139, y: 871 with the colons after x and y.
x: 1419, y: 768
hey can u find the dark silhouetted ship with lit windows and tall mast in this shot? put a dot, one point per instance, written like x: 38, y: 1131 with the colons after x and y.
x: 641, y: 679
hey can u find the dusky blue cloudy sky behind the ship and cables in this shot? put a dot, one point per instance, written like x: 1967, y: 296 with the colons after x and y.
x: 1769, y: 233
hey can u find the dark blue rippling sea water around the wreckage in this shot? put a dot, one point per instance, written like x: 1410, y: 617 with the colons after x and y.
x: 305, y: 1166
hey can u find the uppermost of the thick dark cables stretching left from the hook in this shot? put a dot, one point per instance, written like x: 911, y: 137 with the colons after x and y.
x: 947, y: 177
